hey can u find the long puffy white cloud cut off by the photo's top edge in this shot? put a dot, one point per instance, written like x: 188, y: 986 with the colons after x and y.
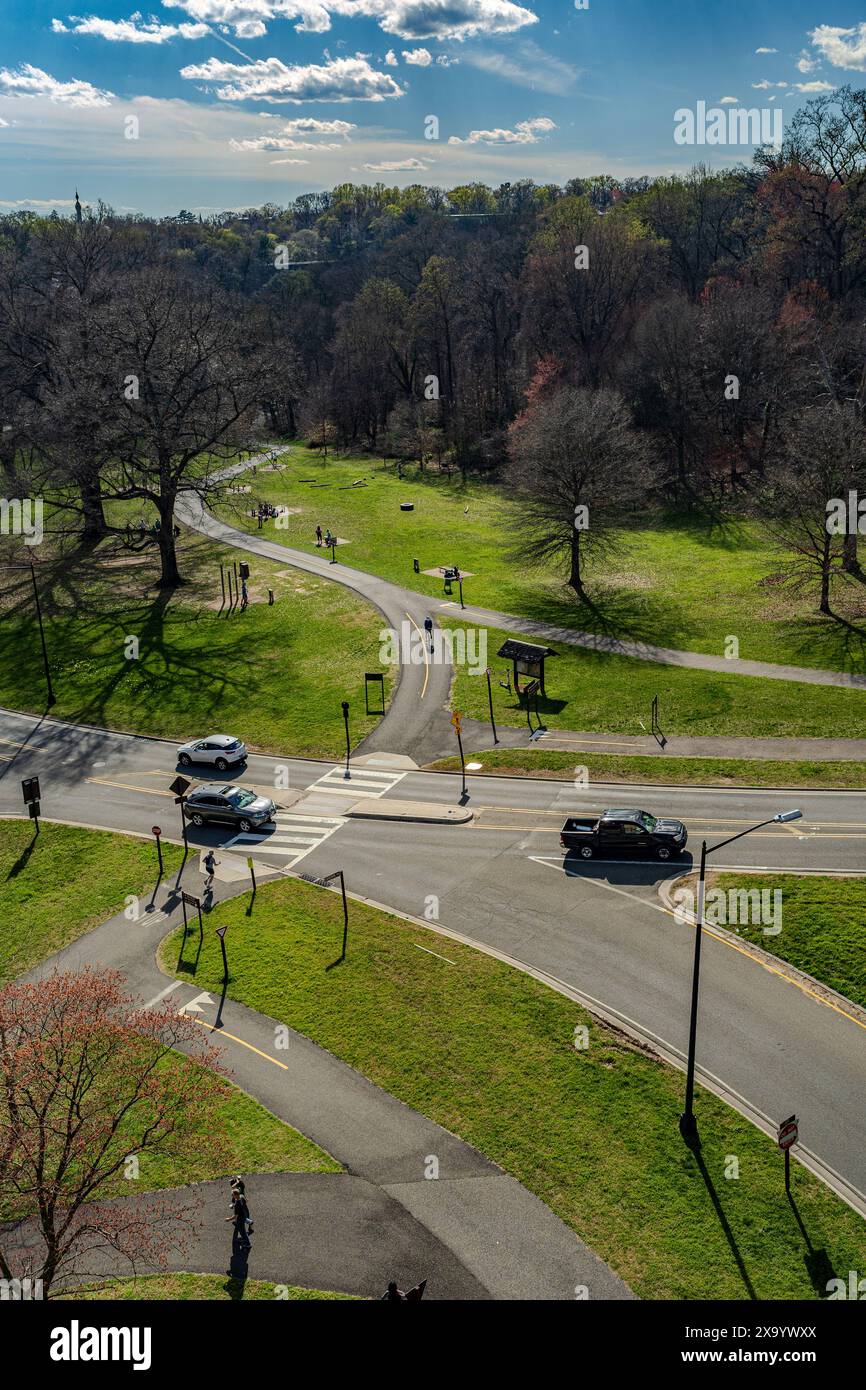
x: 404, y: 19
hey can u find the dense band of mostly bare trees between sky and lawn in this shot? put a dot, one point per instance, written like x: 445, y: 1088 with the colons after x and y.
x: 687, y: 341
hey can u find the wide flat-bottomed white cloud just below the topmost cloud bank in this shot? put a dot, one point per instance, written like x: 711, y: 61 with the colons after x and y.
x: 270, y: 80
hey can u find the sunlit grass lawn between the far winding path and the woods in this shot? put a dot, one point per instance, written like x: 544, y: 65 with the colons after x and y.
x: 673, y: 580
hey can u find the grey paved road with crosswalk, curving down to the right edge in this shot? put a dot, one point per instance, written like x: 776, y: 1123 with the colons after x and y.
x: 601, y: 931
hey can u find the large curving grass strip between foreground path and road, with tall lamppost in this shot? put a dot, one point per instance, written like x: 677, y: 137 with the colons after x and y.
x: 490, y: 1054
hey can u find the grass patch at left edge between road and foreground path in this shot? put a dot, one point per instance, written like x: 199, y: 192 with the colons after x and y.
x: 60, y: 883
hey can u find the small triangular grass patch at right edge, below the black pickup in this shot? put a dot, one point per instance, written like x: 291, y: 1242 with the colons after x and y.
x: 822, y: 926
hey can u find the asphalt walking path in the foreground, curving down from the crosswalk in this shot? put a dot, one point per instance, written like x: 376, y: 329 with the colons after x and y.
x: 473, y: 1232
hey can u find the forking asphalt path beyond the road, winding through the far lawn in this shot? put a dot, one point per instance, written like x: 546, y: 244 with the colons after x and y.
x: 419, y: 723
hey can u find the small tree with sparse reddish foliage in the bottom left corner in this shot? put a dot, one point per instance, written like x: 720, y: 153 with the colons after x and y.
x: 91, y: 1082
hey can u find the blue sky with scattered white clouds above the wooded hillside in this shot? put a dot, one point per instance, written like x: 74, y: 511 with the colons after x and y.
x: 231, y: 104
